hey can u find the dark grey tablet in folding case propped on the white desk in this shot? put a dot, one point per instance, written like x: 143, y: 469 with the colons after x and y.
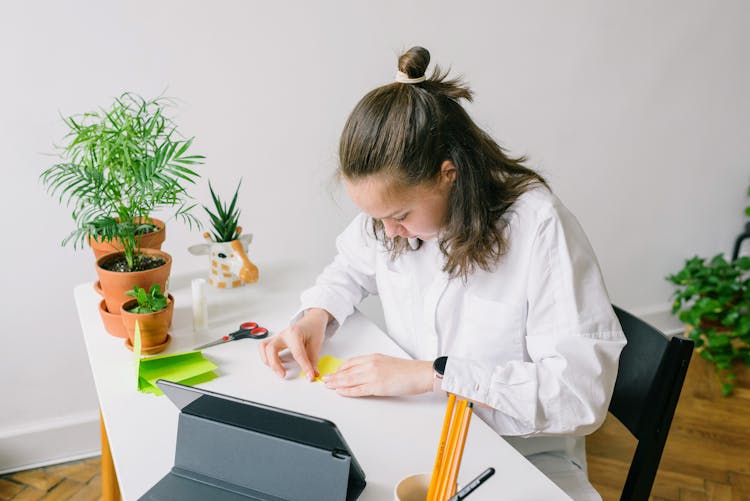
x: 232, y: 449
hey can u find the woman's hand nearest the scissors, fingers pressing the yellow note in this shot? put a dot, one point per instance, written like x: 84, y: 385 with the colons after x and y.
x: 303, y: 339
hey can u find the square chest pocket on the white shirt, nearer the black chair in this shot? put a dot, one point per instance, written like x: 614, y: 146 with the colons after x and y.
x: 492, y: 331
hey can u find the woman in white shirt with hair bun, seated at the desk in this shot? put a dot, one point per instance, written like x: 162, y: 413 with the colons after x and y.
x: 474, y: 259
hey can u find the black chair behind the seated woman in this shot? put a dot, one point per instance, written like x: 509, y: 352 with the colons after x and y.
x: 649, y: 380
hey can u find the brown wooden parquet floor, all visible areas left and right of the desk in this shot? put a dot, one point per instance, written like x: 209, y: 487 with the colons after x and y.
x: 707, y: 456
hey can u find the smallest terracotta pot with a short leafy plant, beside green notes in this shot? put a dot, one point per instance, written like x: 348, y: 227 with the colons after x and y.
x: 152, y: 311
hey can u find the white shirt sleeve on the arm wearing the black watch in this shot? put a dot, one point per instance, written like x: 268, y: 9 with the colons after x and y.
x: 573, y: 342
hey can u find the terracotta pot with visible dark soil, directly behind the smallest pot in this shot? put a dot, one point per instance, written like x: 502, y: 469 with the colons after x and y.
x: 114, y: 283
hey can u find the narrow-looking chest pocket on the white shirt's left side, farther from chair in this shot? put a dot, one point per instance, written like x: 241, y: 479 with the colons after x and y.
x: 396, y: 291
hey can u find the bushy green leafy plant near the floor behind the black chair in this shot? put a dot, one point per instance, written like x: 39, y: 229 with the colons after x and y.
x: 713, y: 298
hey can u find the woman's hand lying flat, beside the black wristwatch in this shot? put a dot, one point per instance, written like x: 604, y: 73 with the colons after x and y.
x: 381, y: 375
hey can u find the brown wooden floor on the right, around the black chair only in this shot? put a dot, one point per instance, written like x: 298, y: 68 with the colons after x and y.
x: 707, y: 455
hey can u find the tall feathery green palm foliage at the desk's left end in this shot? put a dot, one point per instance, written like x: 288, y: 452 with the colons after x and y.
x: 119, y: 166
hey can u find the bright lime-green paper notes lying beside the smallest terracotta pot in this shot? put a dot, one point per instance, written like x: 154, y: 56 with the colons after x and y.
x: 188, y: 368
